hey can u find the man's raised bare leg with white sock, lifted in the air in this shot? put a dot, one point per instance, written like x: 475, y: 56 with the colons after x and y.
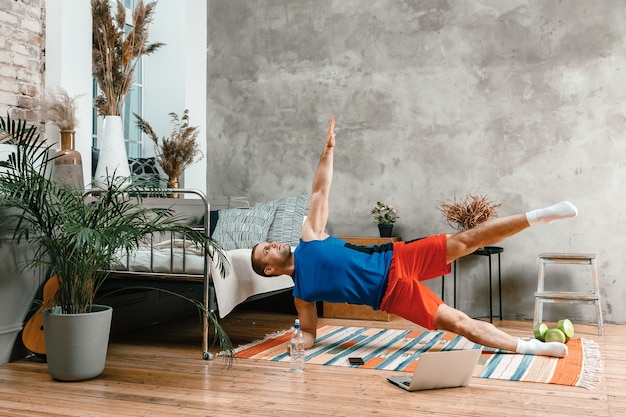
x: 495, y: 230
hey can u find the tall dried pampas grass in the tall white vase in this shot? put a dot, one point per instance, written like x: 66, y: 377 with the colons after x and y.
x: 115, y: 53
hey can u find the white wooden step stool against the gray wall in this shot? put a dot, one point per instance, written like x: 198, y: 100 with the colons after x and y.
x: 569, y: 297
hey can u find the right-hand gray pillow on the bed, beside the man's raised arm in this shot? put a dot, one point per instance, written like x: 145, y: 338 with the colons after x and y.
x: 287, y: 224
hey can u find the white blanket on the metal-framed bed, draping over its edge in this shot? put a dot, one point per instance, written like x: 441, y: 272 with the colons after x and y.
x: 240, y: 284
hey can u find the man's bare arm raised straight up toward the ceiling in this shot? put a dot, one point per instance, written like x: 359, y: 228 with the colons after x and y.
x: 315, y: 226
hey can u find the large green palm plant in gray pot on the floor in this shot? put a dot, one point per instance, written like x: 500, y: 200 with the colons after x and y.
x: 76, y: 240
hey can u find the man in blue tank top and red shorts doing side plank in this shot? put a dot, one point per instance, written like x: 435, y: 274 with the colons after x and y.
x: 388, y: 277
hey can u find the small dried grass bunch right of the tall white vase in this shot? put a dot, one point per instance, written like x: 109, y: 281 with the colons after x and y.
x: 180, y: 150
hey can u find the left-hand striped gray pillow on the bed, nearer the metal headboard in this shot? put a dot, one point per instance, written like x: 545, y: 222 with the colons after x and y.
x: 243, y: 228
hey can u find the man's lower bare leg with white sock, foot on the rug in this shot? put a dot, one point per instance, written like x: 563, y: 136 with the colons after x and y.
x: 486, y: 334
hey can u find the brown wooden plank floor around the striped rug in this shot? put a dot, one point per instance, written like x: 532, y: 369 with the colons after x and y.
x: 158, y: 371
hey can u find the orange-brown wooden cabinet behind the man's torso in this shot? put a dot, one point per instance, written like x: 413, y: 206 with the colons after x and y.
x: 362, y: 312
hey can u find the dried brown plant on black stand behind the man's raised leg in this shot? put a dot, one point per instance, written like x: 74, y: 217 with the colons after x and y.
x: 470, y: 212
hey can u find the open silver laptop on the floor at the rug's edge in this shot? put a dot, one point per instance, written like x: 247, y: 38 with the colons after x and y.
x: 443, y: 369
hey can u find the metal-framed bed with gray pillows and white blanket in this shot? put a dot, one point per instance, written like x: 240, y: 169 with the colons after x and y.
x: 169, y: 262
